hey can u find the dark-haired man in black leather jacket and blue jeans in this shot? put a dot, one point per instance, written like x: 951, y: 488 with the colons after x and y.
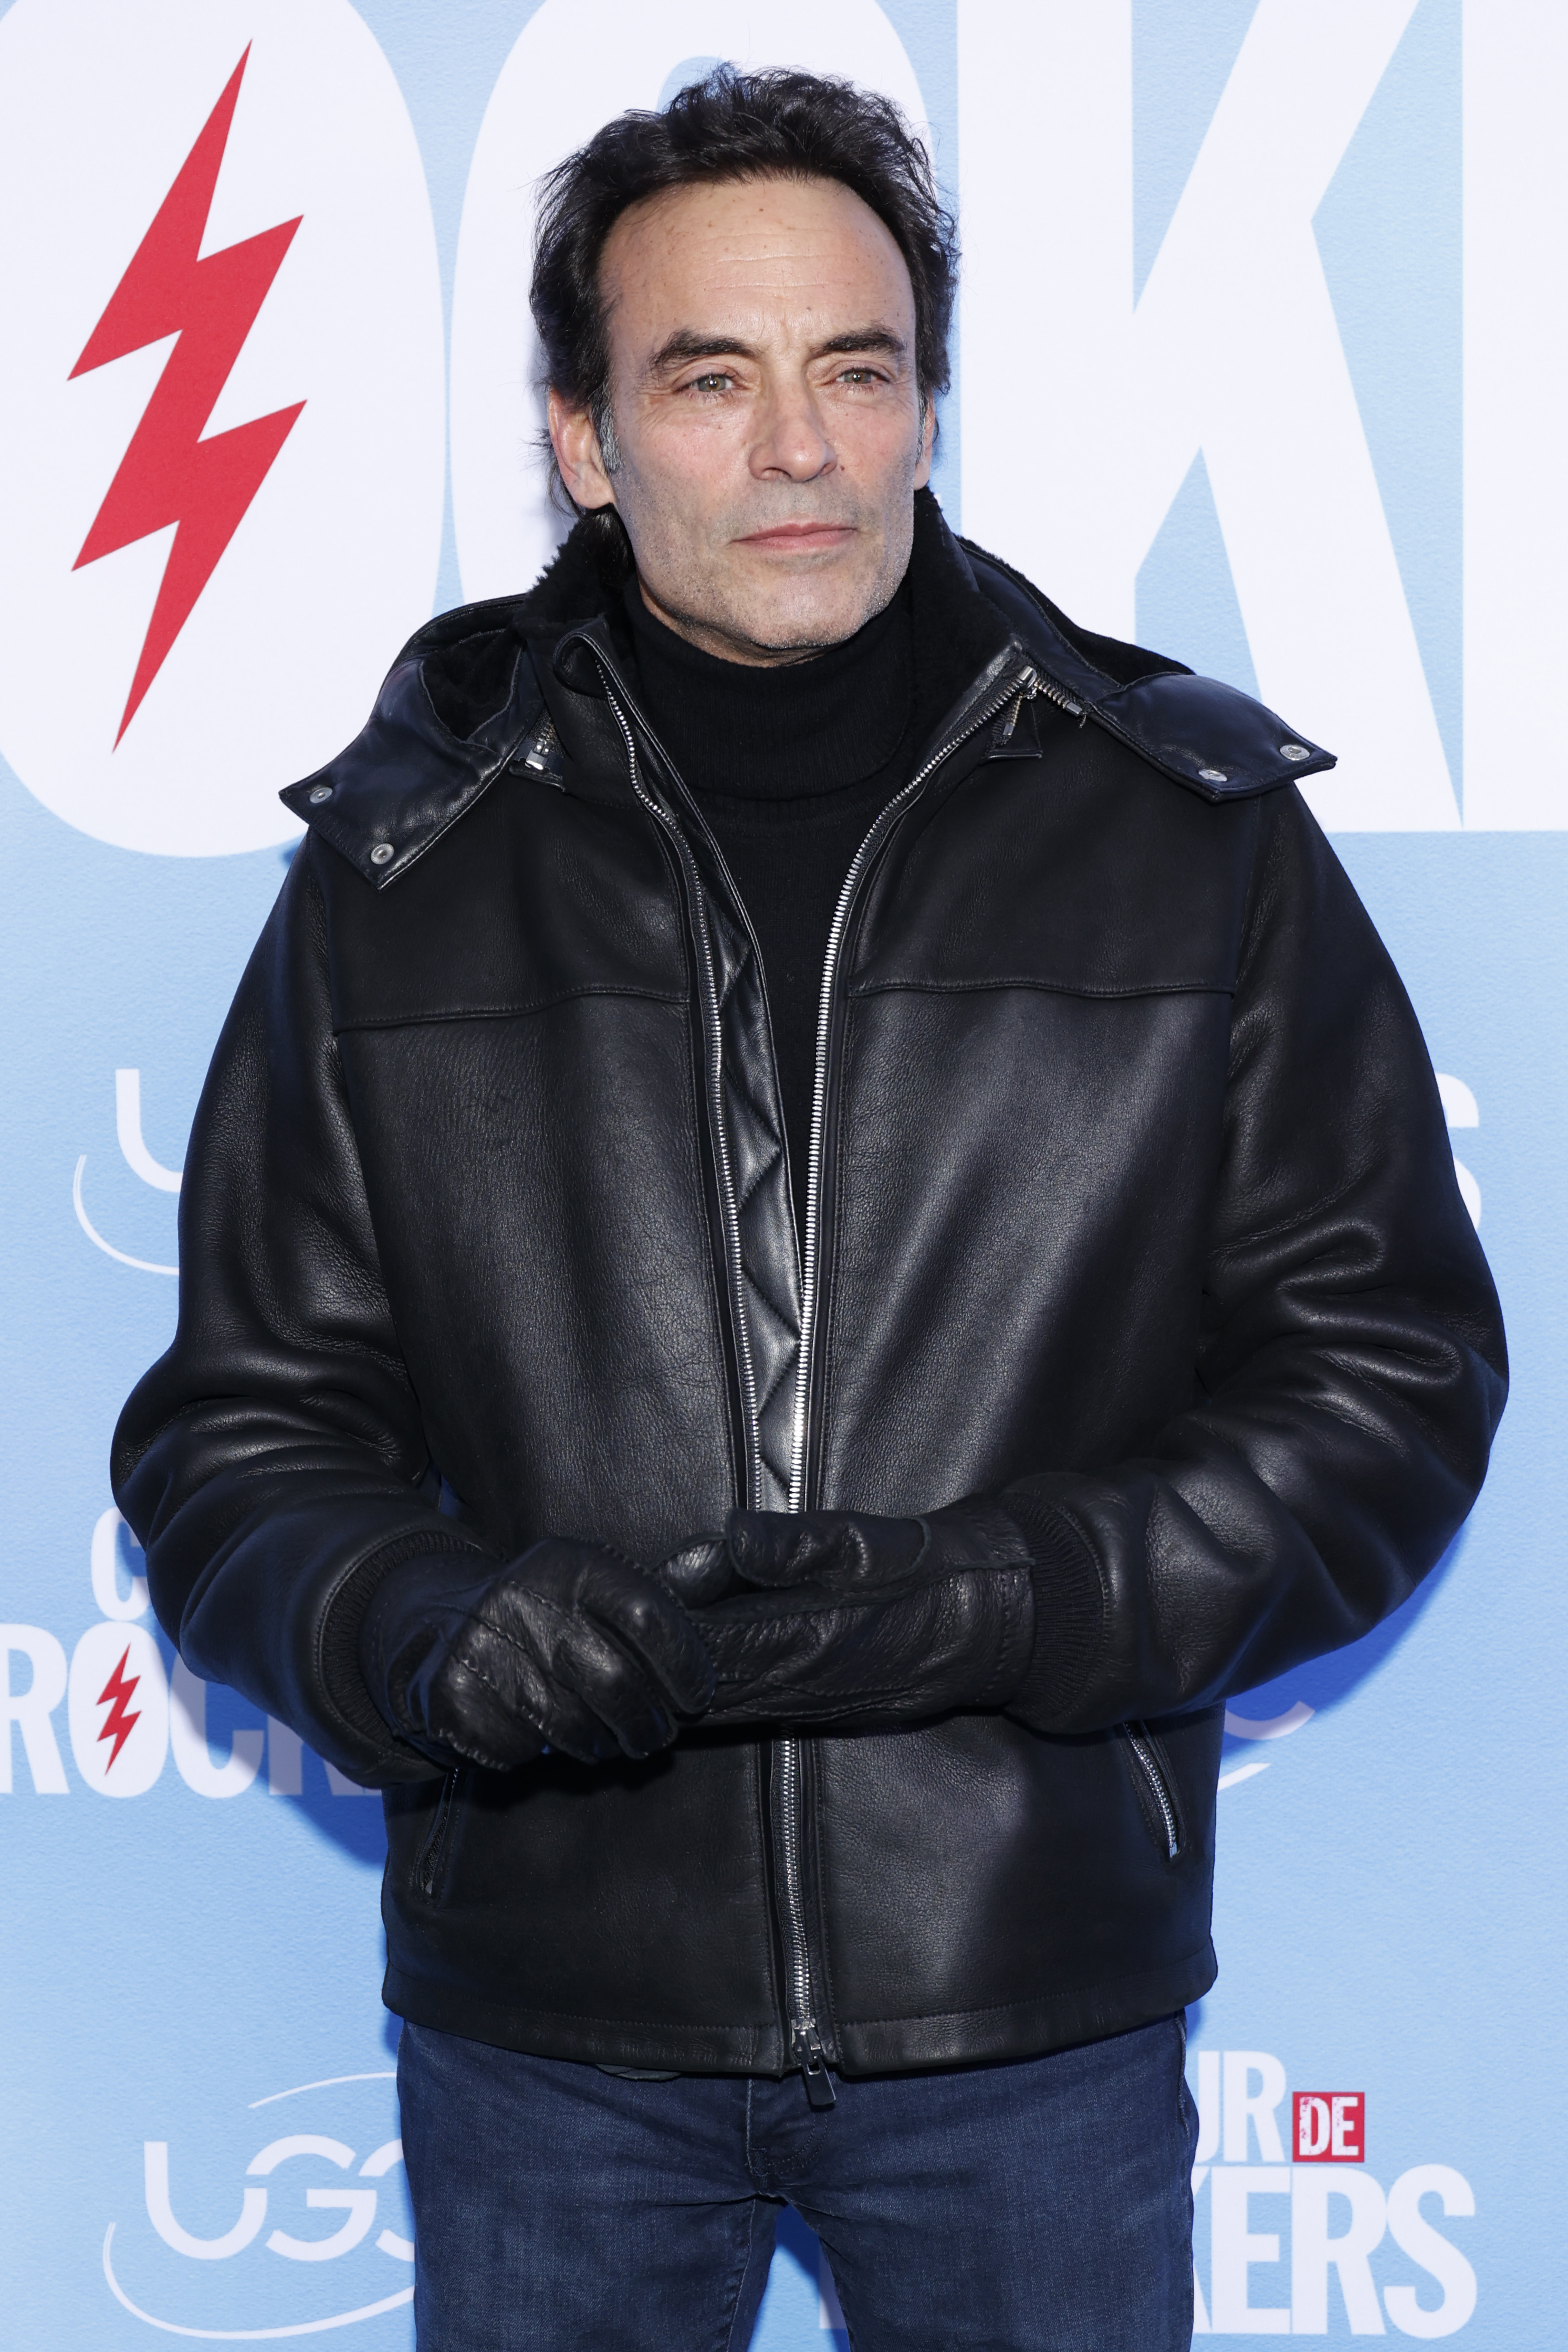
x: 817, y: 1227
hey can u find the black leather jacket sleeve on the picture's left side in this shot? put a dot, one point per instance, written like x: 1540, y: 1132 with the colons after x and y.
x: 274, y: 1462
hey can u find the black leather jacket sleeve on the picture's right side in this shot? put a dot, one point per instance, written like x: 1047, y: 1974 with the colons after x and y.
x: 1351, y: 1363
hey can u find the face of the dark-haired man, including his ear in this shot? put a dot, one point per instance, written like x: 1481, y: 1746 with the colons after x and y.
x: 768, y: 420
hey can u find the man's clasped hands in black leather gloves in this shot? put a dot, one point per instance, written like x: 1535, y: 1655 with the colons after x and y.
x: 786, y: 1619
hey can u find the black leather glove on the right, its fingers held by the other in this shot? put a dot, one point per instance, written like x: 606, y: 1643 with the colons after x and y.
x: 838, y: 1617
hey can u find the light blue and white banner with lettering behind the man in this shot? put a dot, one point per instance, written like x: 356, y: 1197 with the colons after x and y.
x: 1259, y: 361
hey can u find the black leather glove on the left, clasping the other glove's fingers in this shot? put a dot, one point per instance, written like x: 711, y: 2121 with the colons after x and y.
x: 568, y: 1648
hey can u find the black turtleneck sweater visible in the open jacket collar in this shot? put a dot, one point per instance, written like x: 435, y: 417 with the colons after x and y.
x: 791, y: 768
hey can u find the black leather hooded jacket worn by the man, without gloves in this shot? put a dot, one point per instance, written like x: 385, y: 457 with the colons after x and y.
x: 1132, y: 1189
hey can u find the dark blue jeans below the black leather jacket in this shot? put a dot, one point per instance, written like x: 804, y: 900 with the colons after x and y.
x: 1033, y: 2207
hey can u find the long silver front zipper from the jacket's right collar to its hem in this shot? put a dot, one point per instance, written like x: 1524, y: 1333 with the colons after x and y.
x: 805, y: 2036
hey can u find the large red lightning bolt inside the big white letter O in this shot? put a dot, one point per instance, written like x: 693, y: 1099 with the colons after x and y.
x: 170, y: 474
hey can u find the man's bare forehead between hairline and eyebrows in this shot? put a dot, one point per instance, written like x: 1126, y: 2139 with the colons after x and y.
x: 751, y: 248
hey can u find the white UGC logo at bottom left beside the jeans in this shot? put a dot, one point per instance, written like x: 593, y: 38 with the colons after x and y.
x: 281, y: 2224
